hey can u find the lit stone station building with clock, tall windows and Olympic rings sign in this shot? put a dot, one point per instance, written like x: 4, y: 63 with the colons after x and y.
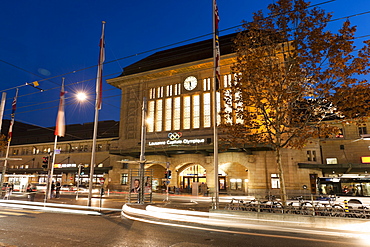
x: 177, y: 84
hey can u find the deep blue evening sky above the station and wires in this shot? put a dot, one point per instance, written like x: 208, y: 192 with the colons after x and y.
x: 44, y: 39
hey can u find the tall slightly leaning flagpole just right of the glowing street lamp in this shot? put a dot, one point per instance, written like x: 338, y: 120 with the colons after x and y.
x: 98, y: 102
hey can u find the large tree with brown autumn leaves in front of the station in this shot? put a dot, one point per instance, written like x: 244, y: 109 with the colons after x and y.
x: 290, y: 75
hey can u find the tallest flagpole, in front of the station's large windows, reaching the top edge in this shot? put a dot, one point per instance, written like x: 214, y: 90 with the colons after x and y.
x: 214, y: 109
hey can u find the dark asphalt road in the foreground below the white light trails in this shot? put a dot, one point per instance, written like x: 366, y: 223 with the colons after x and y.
x: 20, y: 227
